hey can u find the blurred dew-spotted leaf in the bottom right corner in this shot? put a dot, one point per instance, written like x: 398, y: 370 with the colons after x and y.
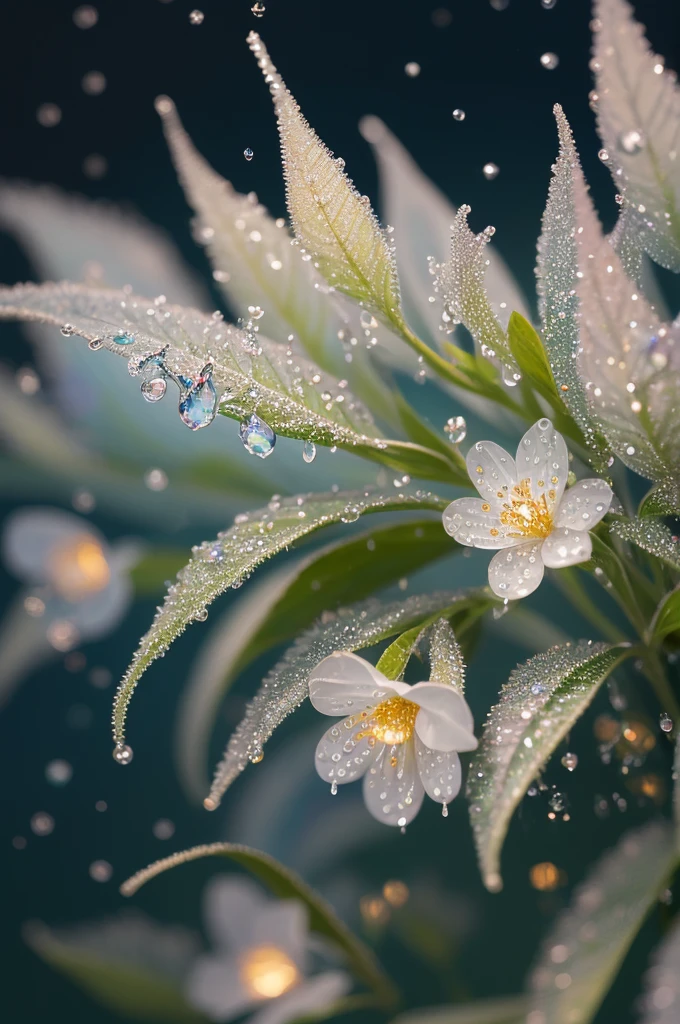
x: 585, y: 950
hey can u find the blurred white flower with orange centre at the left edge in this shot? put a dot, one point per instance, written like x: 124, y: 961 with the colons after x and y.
x: 79, y: 587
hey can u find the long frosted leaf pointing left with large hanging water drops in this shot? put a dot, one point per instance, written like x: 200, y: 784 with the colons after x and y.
x: 251, y: 374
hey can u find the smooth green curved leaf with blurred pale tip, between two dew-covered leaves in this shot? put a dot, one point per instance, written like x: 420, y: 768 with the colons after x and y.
x: 281, y: 606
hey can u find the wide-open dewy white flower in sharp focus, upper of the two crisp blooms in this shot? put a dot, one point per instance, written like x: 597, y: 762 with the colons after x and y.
x: 525, y: 511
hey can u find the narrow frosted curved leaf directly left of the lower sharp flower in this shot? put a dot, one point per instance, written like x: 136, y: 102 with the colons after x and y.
x: 286, y: 687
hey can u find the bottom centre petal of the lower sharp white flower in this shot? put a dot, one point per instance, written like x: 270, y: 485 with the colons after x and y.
x: 393, y: 790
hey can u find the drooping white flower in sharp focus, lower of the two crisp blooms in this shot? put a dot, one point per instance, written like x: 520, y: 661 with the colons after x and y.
x: 403, y: 740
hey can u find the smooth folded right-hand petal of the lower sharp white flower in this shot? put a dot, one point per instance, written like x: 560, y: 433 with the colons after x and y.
x: 445, y: 721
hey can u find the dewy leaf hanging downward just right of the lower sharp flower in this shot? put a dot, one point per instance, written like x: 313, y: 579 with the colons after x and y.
x: 538, y: 706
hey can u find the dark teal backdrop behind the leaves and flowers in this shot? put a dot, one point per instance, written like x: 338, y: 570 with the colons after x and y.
x: 342, y: 60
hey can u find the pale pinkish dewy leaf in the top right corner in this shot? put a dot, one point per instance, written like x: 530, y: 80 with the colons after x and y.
x: 639, y: 118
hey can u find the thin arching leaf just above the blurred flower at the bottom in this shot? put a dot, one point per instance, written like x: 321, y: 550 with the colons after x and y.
x: 284, y: 884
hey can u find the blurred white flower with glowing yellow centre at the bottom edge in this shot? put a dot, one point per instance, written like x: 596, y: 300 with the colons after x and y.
x: 262, y: 959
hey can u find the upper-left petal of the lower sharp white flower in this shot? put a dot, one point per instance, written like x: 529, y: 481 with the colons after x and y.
x: 345, y: 685
